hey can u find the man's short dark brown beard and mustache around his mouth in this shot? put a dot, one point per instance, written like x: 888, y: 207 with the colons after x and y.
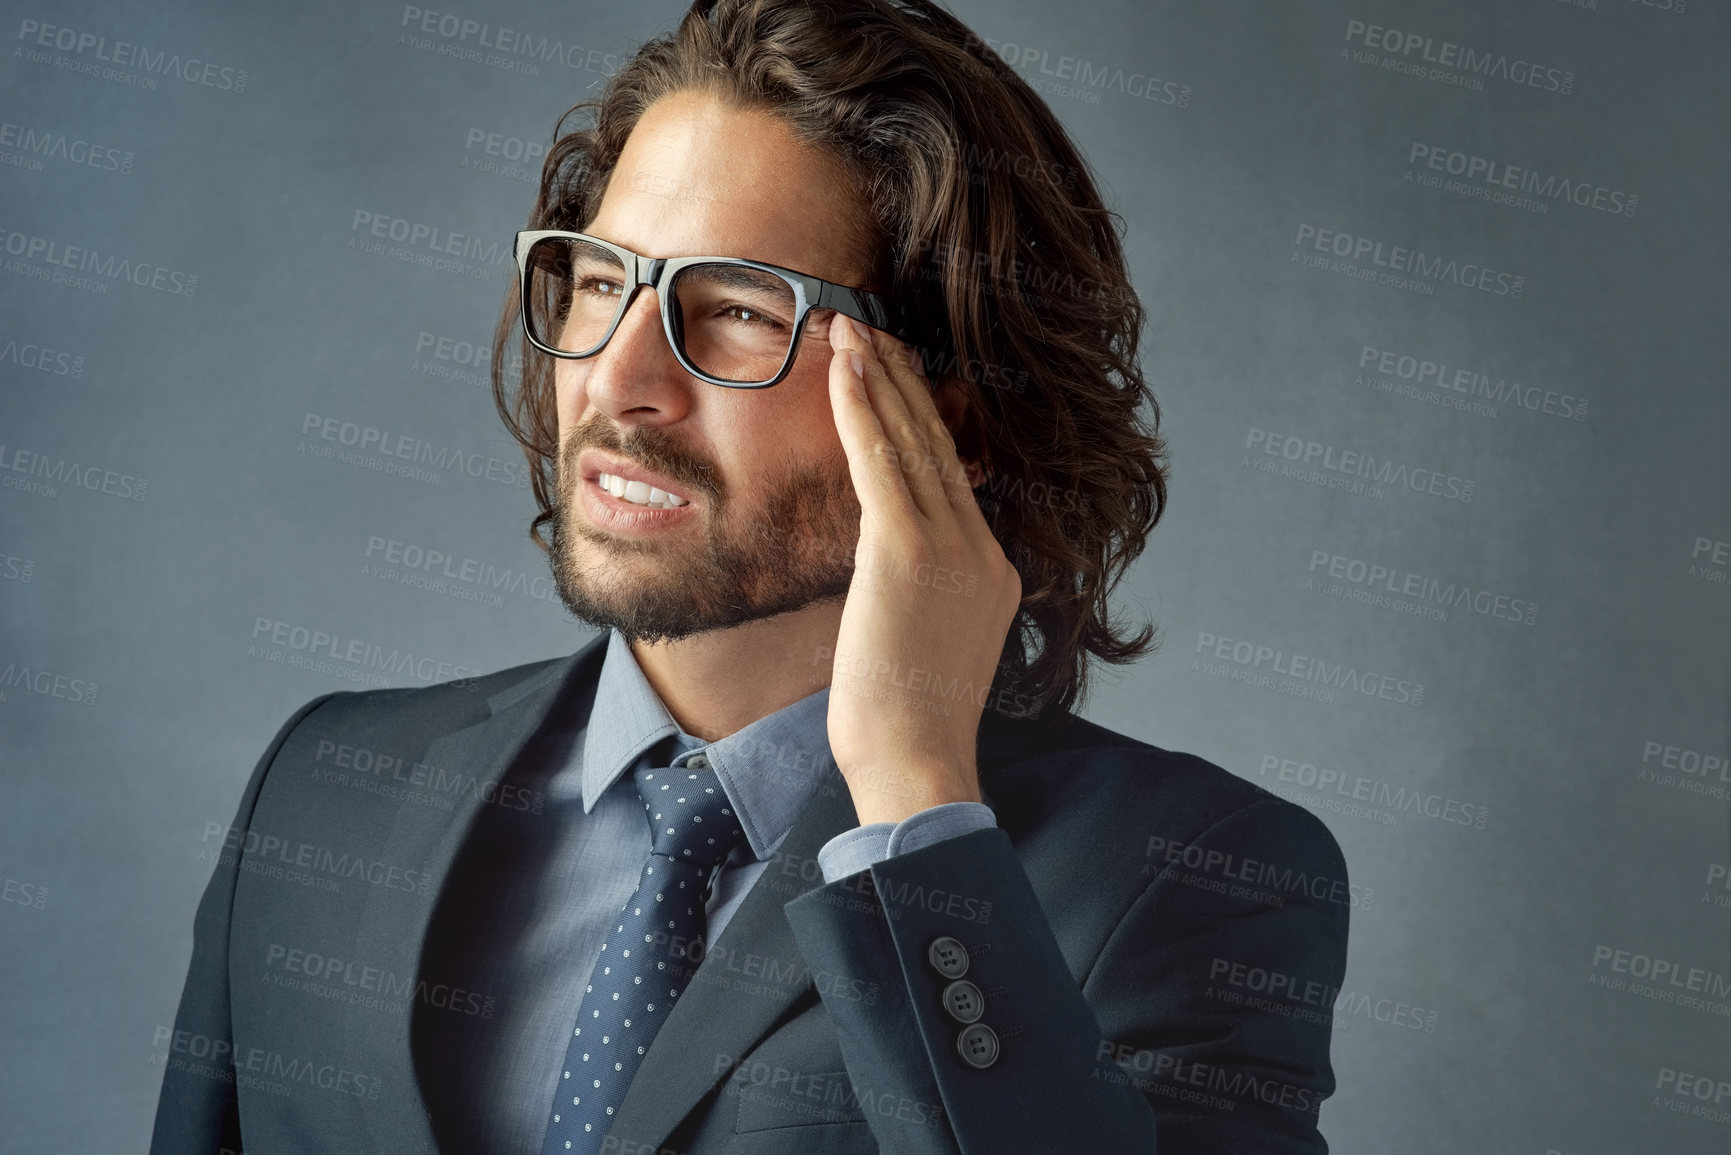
x: 794, y: 548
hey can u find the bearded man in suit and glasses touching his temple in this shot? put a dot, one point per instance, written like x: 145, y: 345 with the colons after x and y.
x: 808, y: 851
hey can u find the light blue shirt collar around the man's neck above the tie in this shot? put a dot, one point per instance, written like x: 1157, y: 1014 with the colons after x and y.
x: 769, y: 768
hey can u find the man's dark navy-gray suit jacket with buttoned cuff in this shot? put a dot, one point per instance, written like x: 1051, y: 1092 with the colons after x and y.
x: 1159, y: 946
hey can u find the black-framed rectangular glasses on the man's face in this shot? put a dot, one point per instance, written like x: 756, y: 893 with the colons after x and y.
x: 730, y: 321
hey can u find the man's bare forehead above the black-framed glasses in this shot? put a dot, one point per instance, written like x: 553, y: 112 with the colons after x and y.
x: 705, y: 177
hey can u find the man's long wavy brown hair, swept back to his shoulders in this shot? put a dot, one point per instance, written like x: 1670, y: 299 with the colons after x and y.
x: 988, y: 219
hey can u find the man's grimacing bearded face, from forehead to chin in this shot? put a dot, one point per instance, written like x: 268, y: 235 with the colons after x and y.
x: 771, y: 517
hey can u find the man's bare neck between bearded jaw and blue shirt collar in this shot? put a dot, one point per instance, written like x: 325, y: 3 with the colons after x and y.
x: 719, y: 683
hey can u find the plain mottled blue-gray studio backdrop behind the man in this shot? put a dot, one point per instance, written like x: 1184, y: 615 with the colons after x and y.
x: 1536, y: 825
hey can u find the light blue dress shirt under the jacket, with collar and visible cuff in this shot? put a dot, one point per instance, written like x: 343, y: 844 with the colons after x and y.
x: 555, y: 886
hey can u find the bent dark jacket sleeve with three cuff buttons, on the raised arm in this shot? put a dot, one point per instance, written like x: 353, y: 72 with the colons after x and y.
x: 1168, y: 1043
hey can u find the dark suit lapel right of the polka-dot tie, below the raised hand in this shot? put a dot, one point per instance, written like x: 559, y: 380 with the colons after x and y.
x: 723, y: 1014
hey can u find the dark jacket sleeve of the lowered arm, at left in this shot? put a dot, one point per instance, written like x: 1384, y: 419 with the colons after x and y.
x: 198, y: 1113
